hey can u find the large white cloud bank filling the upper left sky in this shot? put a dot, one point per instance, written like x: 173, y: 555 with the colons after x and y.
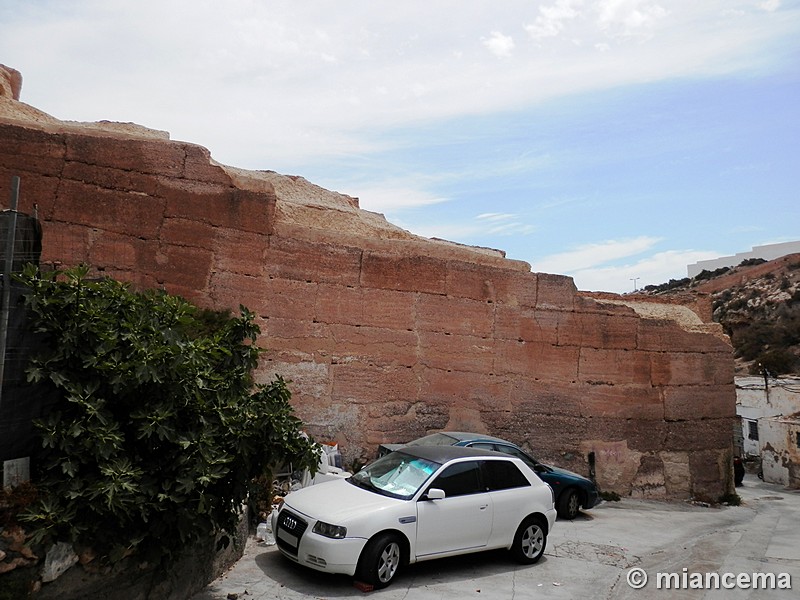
x: 264, y: 85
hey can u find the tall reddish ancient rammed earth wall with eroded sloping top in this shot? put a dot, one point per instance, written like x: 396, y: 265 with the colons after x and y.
x: 386, y: 336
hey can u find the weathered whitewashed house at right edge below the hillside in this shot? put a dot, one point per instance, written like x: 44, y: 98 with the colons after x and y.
x: 769, y: 410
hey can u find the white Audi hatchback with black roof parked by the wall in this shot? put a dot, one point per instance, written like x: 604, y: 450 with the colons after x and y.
x: 415, y: 504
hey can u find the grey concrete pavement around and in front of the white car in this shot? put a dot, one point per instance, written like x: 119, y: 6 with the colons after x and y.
x: 590, y: 557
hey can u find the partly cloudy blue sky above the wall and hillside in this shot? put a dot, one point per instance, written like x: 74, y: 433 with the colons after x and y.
x: 615, y: 141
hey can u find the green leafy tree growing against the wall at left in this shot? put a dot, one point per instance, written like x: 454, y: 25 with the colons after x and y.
x: 159, y: 428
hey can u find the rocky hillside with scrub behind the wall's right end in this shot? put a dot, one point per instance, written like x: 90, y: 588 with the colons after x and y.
x: 758, y: 305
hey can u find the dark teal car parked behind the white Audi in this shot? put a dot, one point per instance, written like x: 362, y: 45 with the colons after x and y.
x: 572, y: 491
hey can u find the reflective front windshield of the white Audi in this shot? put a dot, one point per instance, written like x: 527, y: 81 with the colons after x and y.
x: 397, y: 475
